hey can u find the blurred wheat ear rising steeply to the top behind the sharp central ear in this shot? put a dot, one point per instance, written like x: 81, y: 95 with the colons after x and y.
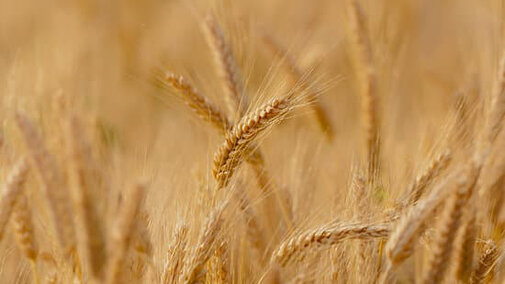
x: 227, y: 67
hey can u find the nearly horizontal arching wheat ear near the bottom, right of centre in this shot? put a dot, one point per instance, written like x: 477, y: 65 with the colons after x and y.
x: 327, y: 236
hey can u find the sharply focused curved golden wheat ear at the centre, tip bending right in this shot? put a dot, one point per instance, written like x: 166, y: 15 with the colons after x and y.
x: 230, y: 154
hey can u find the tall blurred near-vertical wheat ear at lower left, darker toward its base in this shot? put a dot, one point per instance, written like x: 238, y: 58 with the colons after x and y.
x: 84, y: 182
